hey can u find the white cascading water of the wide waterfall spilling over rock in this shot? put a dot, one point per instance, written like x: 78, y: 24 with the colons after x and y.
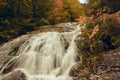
x: 47, y: 56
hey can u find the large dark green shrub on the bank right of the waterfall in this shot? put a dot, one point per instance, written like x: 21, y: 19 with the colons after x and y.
x: 107, y: 37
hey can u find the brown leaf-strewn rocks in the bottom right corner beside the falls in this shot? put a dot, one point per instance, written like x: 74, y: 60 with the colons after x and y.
x: 105, y: 66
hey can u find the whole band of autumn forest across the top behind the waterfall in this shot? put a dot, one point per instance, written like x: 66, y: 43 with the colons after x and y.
x: 18, y: 17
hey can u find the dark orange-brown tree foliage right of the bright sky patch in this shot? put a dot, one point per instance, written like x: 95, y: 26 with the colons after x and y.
x: 98, y: 7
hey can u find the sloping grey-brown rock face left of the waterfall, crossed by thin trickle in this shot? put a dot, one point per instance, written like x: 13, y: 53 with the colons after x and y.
x: 8, y: 51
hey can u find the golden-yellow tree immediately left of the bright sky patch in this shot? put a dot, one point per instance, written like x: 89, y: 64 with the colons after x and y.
x: 74, y: 8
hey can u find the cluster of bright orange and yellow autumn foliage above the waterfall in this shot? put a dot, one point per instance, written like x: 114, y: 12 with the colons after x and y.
x: 66, y: 11
